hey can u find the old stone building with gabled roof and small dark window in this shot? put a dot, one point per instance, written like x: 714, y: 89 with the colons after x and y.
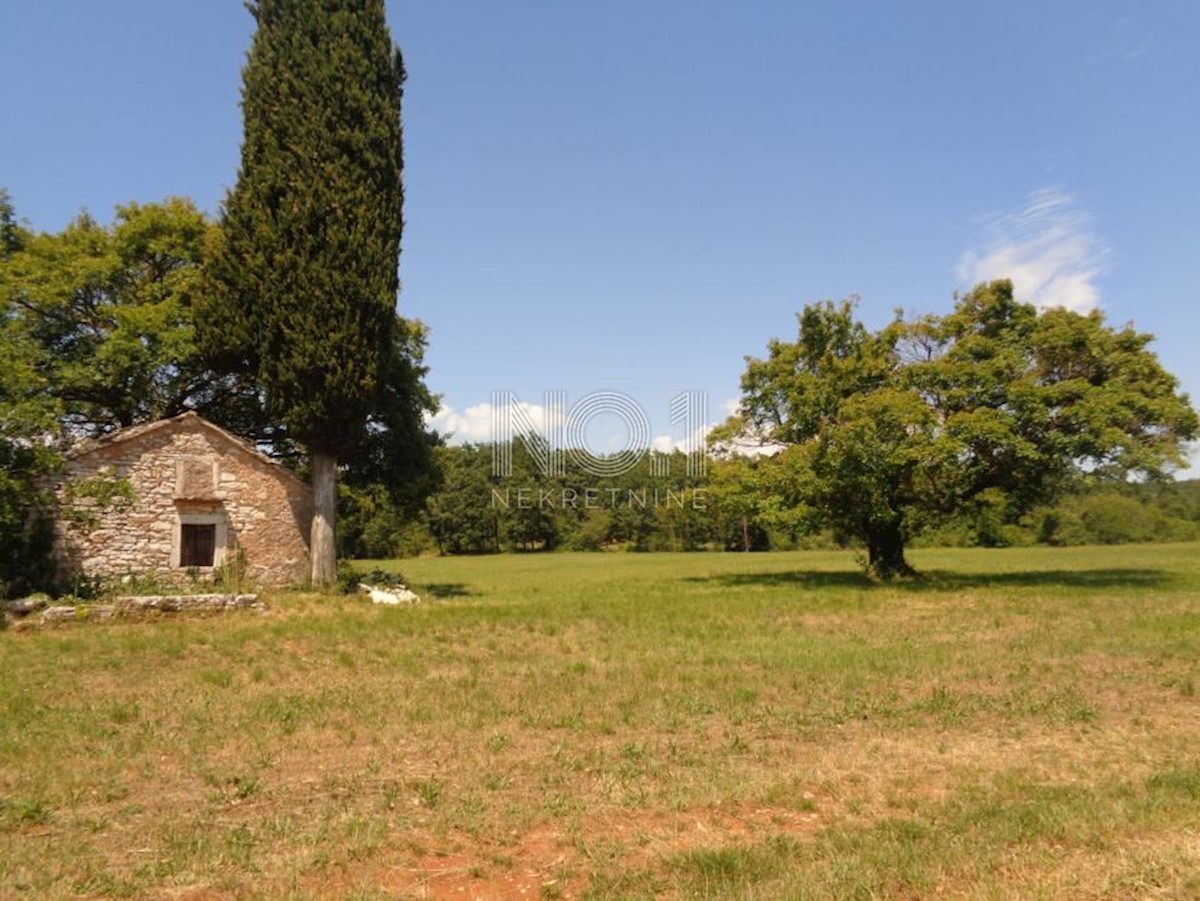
x: 179, y: 498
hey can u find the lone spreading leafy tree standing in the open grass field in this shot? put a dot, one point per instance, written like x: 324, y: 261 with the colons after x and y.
x: 995, y: 404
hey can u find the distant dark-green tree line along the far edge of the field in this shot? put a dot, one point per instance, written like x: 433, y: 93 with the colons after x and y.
x: 731, y: 508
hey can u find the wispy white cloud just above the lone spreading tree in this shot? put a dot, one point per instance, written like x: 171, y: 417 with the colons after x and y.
x: 1048, y: 249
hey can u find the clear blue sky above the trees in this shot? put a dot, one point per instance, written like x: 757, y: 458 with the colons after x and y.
x: 633, y: 196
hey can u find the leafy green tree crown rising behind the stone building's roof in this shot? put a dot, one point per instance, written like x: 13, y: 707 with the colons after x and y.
x: 98, y: 321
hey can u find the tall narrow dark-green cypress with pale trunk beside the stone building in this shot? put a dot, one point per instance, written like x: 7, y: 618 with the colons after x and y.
x: 303, y: 281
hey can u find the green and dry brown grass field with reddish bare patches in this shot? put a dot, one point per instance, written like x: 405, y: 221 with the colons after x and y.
x: 1024, y: 724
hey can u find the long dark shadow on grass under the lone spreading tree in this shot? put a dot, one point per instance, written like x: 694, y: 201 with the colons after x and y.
x: 952, y: 580
